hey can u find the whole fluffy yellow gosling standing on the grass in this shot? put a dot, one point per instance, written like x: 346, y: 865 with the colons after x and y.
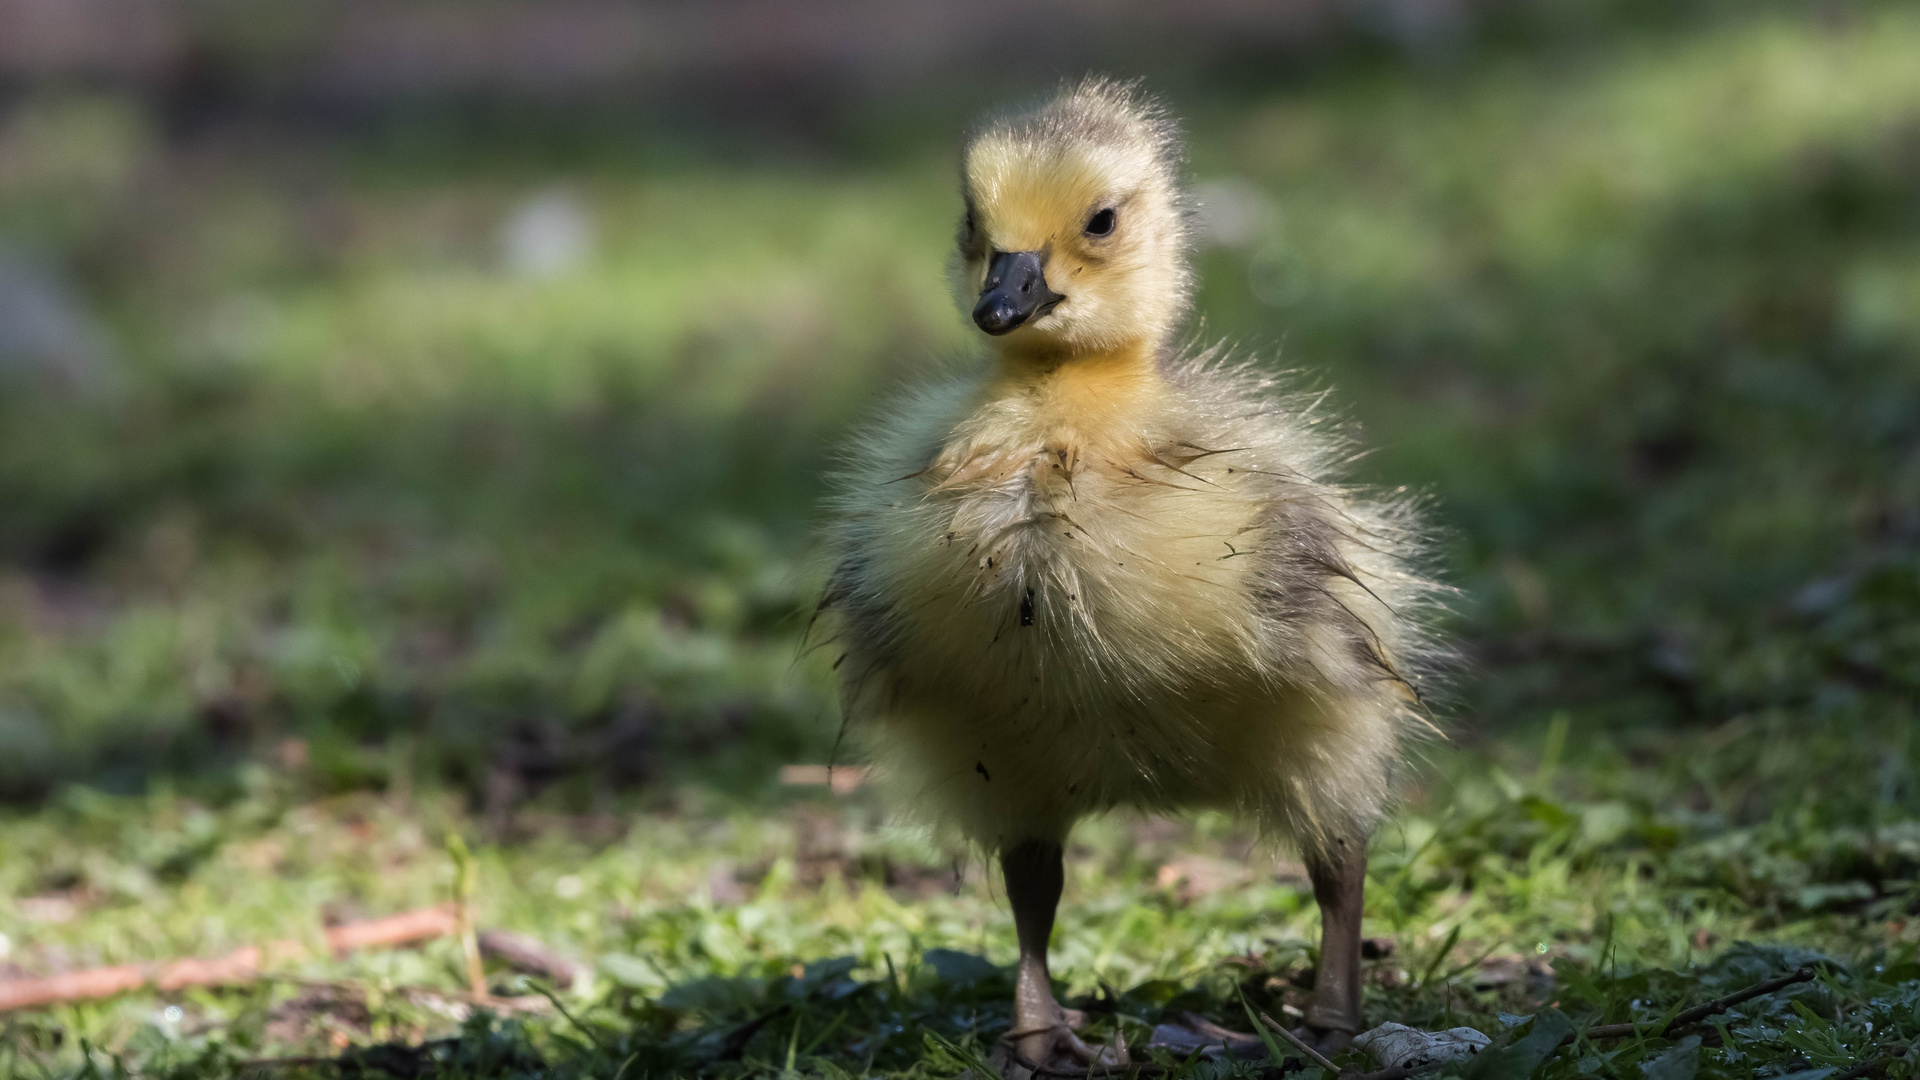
x: 1105, y: 572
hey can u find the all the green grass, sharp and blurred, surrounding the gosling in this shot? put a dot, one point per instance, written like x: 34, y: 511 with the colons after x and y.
x: 372, y: 539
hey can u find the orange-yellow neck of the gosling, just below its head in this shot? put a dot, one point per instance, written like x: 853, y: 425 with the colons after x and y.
x: 1092, y: 393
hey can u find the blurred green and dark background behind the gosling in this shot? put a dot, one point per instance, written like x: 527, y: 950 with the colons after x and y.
x: 437, y: 399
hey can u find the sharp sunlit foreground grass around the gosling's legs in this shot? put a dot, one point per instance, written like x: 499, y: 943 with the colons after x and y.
x: 698, y: 923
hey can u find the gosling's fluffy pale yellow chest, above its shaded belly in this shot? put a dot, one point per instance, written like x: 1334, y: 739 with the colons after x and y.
x: 1130, y: 562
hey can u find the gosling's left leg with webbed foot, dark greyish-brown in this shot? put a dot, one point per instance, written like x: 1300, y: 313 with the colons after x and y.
x: 1036, y: 875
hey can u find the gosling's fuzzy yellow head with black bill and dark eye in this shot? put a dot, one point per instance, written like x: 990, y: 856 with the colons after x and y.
x: 1074, y: 237
